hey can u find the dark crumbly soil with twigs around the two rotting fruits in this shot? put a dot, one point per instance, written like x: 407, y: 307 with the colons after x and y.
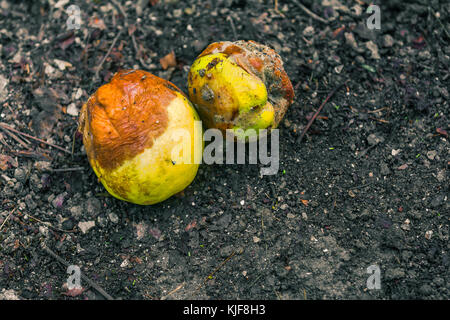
x: 368, y: 184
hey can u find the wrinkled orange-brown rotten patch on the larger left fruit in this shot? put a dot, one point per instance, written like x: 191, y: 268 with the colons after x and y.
x: 124, y: 116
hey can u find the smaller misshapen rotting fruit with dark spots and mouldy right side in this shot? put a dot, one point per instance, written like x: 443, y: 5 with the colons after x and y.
x: 240, y: 85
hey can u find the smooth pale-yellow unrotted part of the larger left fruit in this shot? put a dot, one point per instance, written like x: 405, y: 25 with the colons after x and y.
x: 152, y: 176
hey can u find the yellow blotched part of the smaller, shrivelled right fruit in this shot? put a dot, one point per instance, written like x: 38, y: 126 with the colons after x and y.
x: 224, y: 92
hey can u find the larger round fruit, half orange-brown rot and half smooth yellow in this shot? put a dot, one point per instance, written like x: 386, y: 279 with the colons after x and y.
x: 129, y: 128
